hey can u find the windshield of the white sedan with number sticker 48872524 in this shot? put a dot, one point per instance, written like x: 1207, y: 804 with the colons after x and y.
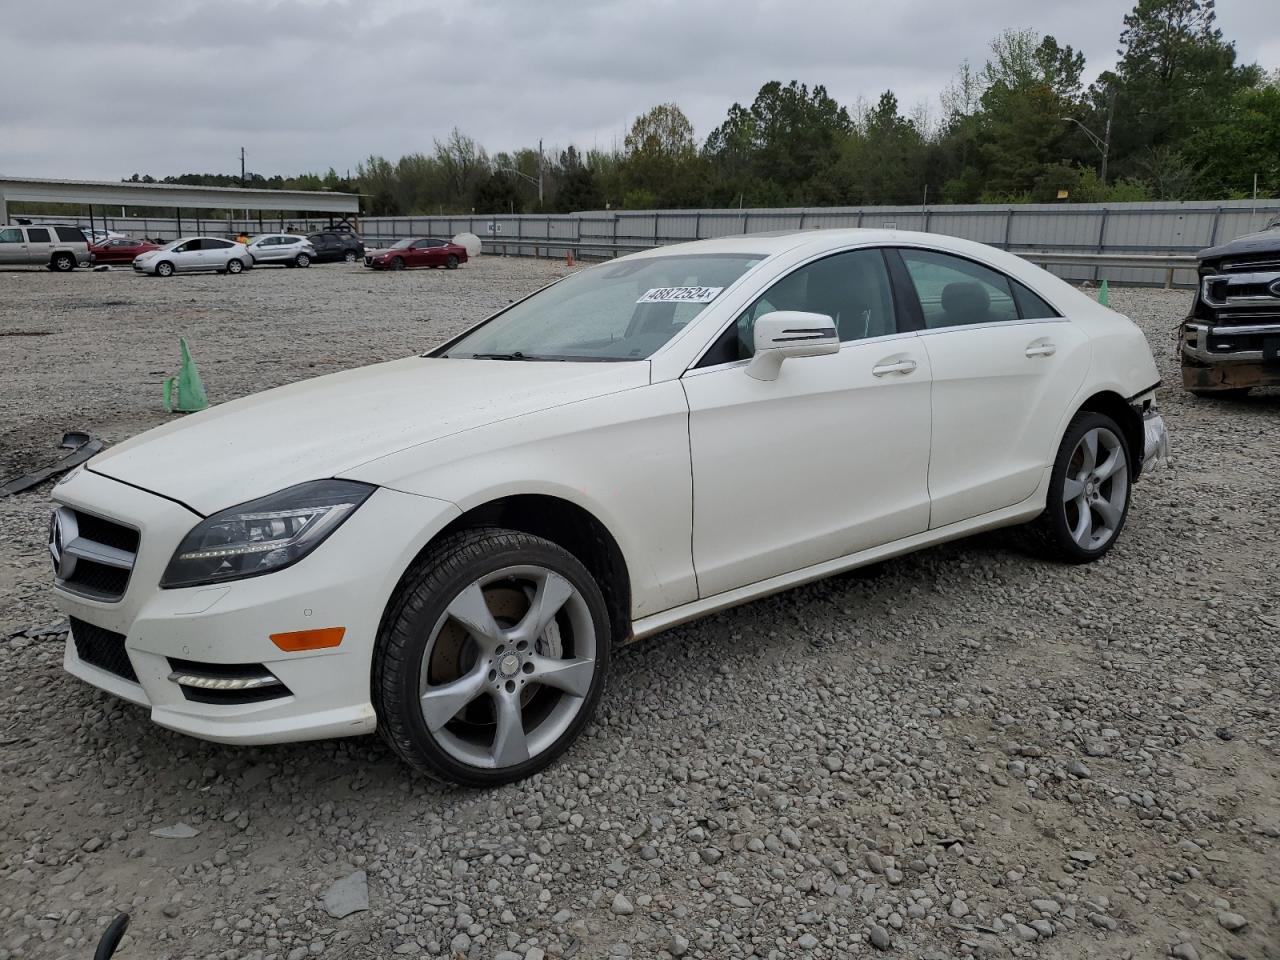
x: 625, y: 310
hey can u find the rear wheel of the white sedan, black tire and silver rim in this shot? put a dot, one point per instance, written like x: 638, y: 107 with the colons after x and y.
x: 1089, y: 492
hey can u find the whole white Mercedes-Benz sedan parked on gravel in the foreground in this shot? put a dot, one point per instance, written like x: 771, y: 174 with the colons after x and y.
x: 447, y: 547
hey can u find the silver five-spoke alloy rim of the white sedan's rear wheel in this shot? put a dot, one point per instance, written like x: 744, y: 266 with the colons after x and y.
x: 1096, y: 488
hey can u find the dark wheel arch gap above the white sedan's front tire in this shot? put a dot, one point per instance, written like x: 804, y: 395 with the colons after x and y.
x: 568, y: 525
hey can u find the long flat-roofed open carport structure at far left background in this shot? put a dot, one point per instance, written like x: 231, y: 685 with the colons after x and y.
x: 175, y: 196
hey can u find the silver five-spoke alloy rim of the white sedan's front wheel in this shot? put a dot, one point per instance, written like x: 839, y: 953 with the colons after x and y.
x: 509, y: 666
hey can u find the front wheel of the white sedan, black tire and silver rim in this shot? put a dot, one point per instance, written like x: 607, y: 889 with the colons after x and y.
x: 492, y: 657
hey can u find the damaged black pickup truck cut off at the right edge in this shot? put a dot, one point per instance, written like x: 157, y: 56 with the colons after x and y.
x: 1232, y: 340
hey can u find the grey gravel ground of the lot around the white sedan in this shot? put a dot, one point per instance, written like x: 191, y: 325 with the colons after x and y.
x: 964, y: 752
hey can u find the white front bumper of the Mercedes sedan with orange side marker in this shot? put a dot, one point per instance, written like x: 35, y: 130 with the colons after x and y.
x: 346, y: 582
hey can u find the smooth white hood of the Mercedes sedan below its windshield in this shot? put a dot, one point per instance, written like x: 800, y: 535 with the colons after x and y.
x: 321, y: 428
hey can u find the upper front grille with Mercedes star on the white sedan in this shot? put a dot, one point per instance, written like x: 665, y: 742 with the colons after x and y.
x: 94, y: 556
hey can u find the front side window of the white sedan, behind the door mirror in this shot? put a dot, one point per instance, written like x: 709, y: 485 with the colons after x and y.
x: 852, y: 289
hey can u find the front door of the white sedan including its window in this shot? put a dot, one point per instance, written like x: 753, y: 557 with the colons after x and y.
x: 830, y: 459
